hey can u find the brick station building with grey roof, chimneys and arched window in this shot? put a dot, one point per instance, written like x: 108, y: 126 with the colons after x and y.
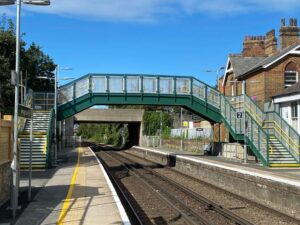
x: 263, y: 69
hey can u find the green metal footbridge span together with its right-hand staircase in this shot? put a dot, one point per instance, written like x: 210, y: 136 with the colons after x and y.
x: 272, y: 139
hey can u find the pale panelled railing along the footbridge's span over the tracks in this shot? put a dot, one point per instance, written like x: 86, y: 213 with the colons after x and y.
x: 139, y: 84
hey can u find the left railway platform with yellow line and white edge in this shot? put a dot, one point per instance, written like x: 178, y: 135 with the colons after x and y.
x: 79, y: 192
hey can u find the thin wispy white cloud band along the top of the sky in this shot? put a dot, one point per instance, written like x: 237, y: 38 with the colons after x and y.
x: 152, y: 10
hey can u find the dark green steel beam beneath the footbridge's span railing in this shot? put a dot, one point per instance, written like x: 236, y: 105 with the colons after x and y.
x: 84, y: 102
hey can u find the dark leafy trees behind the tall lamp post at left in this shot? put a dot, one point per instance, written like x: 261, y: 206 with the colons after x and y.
x: 34, y: 62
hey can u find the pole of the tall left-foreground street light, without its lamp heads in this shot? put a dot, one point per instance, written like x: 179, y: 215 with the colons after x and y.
x: 15, y: 163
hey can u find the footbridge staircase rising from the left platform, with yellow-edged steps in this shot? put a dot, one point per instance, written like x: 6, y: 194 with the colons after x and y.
x: 42, y: 124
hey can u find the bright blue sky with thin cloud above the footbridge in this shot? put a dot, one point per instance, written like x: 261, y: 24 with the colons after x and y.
x: 180, y: 37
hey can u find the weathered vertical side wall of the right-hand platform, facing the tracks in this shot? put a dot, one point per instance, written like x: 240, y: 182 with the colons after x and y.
x: 280, y: 196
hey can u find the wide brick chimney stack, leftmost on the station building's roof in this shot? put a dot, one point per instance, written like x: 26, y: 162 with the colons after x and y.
x: 254, y: 46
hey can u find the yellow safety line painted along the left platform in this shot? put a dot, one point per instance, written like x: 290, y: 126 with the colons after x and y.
x: 67, y: 201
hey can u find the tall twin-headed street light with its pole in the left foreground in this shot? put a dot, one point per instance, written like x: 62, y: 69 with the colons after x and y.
x: 15, y: 163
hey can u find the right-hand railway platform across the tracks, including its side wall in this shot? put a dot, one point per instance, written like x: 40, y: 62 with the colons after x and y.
x: 278, y: 189
